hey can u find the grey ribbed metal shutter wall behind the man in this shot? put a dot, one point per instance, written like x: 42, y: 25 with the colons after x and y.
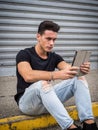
x: 20, y: 18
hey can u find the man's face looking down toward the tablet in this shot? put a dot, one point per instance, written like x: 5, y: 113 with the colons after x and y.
x: 47, y: 40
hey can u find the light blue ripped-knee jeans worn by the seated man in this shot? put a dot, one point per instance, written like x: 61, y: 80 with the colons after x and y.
x: 38, y: 100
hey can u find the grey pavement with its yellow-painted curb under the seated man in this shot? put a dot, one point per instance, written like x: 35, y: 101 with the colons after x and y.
x: 12, y: 119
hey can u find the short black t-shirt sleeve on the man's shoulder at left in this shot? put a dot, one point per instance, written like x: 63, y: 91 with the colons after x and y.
x: 22, y: 56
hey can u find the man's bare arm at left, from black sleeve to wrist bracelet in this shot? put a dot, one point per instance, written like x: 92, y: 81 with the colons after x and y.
x: 30, y: 75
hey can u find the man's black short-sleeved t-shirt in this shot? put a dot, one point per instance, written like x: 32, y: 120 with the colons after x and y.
x: 37, y: 63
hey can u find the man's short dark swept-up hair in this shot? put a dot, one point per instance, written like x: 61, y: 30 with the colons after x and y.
x: 48, y: 25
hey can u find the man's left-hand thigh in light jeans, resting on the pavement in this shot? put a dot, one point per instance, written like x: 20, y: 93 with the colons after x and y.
x: 31, y: 103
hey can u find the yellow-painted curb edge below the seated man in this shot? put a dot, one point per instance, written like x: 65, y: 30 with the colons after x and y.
x: 34, y: 123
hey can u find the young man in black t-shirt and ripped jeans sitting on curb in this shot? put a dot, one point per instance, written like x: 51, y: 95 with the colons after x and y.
x: 35, y: 71
